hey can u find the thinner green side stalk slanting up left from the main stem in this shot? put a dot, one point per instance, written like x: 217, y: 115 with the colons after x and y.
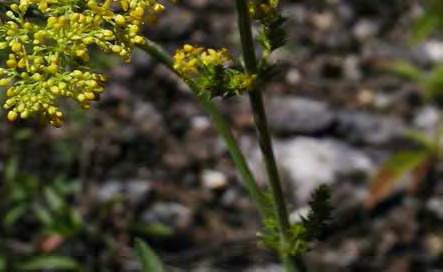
x: 221, y: 126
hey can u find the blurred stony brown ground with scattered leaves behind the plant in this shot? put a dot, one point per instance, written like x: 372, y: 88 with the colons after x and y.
x: 356, y: 106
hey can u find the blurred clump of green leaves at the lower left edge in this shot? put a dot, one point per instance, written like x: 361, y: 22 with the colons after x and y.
x: 46, y: 202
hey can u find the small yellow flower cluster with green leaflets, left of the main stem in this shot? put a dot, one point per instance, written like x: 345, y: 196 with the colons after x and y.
x: 211, y: 71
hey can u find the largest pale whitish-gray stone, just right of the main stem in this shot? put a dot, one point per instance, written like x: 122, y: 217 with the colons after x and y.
x: 308, y: 163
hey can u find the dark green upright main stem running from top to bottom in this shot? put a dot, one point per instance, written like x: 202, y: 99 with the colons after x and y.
x: 256, y: 99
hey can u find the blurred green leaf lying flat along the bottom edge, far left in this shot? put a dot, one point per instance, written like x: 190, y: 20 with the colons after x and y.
x: 49, y: 262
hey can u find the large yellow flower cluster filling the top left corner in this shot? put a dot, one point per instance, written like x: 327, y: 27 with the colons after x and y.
x: 47, y: 47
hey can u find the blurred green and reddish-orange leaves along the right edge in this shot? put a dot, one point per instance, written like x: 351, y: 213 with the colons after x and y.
x: 414, y: 162
